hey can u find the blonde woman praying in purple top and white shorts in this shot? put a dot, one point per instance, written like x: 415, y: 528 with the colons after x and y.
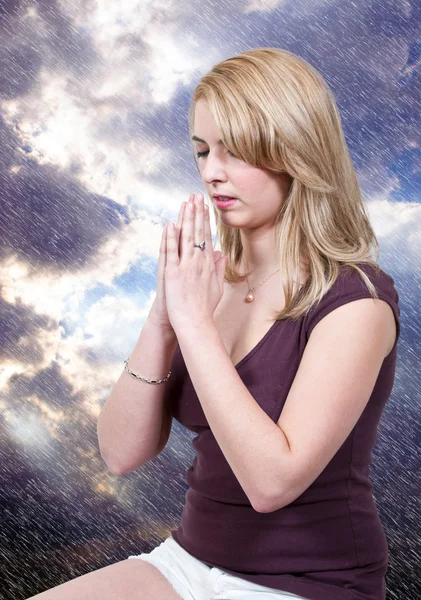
x: 282, y: 355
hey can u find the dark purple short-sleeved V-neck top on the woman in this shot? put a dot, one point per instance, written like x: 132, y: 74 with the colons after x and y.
x: 329, y: 543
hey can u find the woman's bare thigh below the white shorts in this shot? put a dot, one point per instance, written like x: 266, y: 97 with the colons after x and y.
x: 128, y: 579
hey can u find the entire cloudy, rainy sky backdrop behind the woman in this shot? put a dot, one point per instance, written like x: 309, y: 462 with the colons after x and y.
x: 95, y: 159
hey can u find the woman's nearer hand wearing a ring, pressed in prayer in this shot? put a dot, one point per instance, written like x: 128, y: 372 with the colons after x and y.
x: 193, y: 281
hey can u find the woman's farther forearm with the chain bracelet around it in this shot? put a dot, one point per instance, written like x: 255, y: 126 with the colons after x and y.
x: 129, y: 425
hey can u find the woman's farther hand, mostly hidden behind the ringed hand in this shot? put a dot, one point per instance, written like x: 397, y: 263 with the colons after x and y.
x: 159, y: 313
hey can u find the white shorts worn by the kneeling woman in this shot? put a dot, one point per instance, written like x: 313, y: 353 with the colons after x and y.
x: 194, y: 580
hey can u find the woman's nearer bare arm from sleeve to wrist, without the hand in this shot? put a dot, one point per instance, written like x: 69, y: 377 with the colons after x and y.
x: 275, y: 462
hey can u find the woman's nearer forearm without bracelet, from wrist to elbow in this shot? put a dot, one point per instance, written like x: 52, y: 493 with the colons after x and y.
x: 253, y: 445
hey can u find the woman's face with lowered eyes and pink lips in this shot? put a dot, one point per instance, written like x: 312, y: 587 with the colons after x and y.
x: 259, y: 192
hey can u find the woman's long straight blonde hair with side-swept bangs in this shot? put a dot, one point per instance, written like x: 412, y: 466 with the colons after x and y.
x: 275, y: 111
